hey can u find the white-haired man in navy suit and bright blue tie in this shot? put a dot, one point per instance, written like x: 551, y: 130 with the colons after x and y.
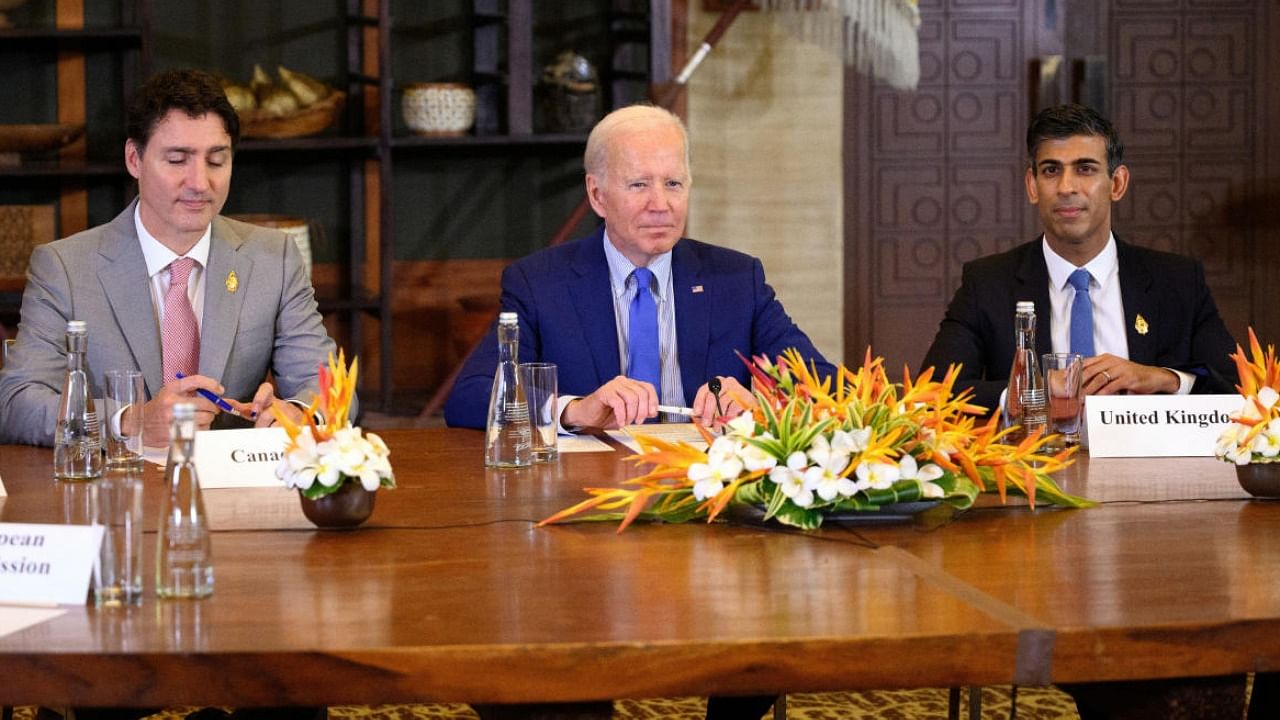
x: 575, y: 302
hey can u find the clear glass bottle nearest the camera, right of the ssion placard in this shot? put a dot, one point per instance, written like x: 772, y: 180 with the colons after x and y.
x: 185, y: 562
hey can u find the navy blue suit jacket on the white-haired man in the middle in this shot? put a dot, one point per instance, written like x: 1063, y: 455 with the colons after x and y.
x: 565, y: 306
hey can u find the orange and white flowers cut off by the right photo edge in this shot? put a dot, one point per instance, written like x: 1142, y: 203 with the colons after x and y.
x: 1254, y: 435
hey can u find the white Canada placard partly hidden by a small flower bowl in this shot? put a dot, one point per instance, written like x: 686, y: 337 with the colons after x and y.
x: 240, y: 459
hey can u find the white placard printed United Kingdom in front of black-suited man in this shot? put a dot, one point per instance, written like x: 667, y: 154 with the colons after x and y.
x: 1158, y: 426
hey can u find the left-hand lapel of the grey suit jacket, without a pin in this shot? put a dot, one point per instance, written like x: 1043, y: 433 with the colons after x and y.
x: 129, y: 294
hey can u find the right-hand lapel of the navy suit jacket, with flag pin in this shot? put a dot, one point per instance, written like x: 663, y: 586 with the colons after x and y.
x: 693, y: 316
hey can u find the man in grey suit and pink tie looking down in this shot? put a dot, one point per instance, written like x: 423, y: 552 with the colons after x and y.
x: 249, y: 308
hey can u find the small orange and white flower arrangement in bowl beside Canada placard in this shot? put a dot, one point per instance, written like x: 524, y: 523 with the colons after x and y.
x: 326, y: 454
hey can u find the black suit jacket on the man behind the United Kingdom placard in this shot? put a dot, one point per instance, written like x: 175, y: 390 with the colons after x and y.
x: 1169, y: 291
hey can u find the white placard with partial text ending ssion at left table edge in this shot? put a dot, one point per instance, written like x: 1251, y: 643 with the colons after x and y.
x: 47, y: 564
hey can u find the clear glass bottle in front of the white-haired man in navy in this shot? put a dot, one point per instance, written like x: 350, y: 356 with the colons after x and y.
x: 509, y: 440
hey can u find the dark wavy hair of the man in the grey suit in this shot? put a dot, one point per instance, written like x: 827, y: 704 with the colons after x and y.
x: 195, y: 93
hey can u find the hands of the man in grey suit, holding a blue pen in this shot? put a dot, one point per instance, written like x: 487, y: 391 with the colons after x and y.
x: 158, y: 412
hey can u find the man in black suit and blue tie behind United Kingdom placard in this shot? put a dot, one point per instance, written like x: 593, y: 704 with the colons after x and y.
x: 1155, y: 326
